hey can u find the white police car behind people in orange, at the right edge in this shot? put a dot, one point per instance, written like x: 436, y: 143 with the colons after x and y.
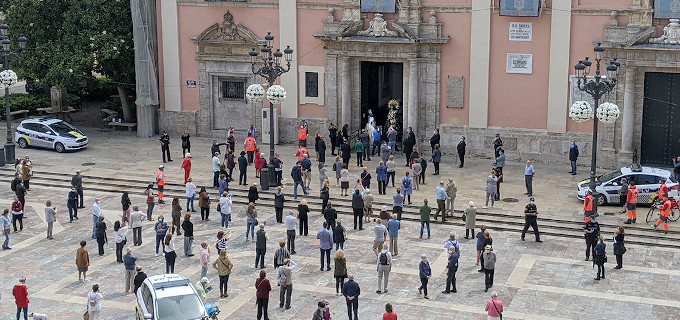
x: 647, y: 180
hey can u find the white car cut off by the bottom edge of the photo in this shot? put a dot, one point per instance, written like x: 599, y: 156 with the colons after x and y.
x: 169, y: 297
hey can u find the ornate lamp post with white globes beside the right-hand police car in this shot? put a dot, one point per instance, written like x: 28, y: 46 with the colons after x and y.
x: 606, y: 112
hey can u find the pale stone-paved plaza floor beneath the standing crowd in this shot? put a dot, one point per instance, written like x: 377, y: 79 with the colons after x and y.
x: 546, y: 280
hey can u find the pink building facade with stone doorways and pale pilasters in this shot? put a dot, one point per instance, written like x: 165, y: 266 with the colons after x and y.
x: 456, y: 65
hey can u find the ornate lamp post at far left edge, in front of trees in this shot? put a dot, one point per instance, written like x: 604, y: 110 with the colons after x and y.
x: 7, y: 79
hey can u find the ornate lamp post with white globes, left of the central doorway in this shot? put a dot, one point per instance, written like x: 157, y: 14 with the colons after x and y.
x: 269, y: 66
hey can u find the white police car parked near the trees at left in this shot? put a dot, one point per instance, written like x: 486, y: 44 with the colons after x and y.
x: 49, y: 133
